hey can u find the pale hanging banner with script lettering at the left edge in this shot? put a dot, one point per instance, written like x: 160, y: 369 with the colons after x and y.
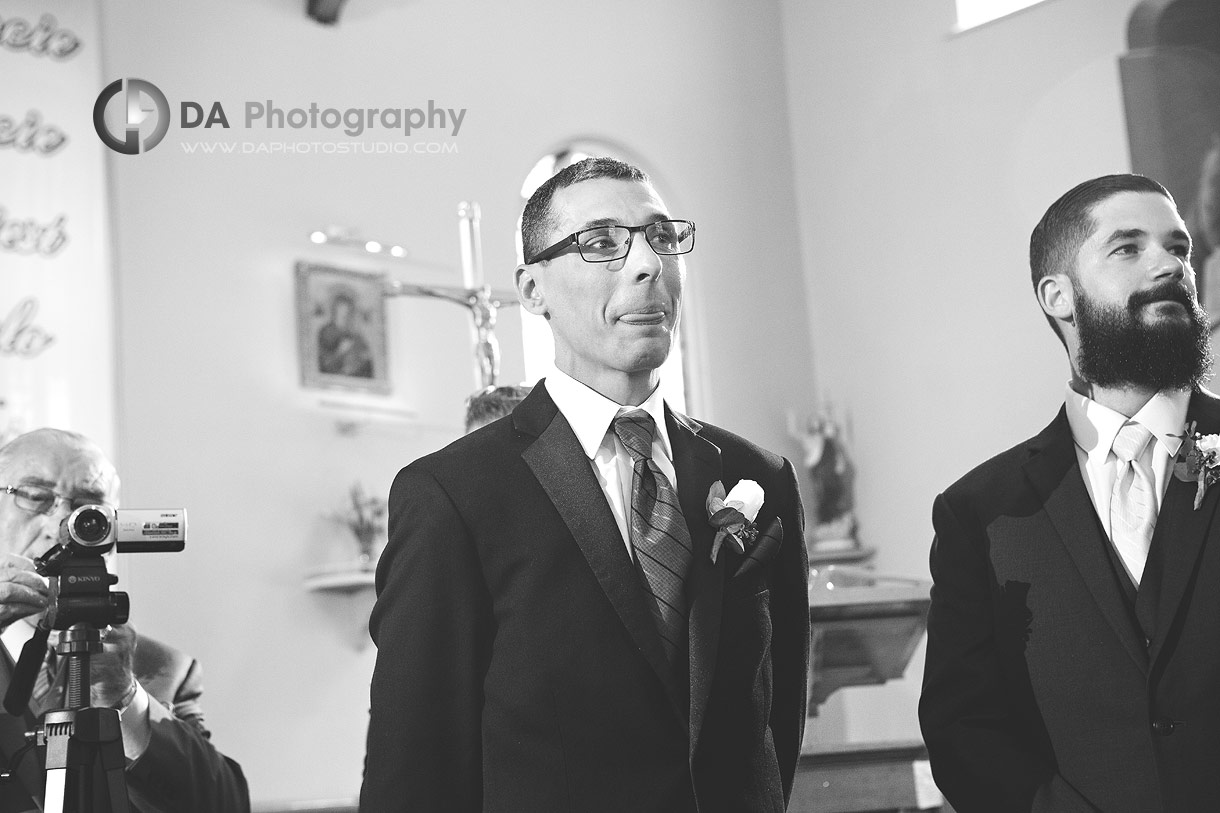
x: 57, y: 289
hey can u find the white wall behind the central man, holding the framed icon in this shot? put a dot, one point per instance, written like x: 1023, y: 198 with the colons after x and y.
x: 212, y: 413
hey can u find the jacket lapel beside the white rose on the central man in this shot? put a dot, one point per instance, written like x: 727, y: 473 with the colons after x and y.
x: 697, y: 467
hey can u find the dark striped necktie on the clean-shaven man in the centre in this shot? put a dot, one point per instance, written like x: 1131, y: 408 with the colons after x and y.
x: 659, y: 535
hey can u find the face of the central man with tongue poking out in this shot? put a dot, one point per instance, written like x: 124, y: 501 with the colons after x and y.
x: 611, y: 318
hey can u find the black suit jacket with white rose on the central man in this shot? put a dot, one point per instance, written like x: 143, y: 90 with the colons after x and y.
x: 519, y: 667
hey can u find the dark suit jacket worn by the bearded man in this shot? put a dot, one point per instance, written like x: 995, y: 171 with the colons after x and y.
x: 1041, y: 690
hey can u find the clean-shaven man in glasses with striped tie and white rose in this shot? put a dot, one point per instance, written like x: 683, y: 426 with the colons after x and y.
x: 557, y: 627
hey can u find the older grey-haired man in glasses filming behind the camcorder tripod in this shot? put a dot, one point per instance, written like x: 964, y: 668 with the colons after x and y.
x: 171, y: 766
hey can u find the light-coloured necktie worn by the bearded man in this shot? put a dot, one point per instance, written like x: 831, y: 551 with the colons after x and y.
x: 1134, y: 500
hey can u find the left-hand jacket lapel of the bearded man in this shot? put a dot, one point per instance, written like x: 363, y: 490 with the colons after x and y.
x: 1056, y: 475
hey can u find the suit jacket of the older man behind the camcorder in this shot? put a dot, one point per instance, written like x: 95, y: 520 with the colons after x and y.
x: 180, y: 772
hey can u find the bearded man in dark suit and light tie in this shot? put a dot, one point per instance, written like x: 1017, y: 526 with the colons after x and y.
x: 1072, y: 659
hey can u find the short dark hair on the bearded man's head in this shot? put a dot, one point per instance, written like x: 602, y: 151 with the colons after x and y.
x: 1060, y: 236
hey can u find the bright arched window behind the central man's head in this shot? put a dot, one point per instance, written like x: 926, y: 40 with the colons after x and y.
x: 540, y: 350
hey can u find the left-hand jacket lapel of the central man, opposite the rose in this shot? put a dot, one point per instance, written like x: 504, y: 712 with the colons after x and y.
x: 562, y: 468
